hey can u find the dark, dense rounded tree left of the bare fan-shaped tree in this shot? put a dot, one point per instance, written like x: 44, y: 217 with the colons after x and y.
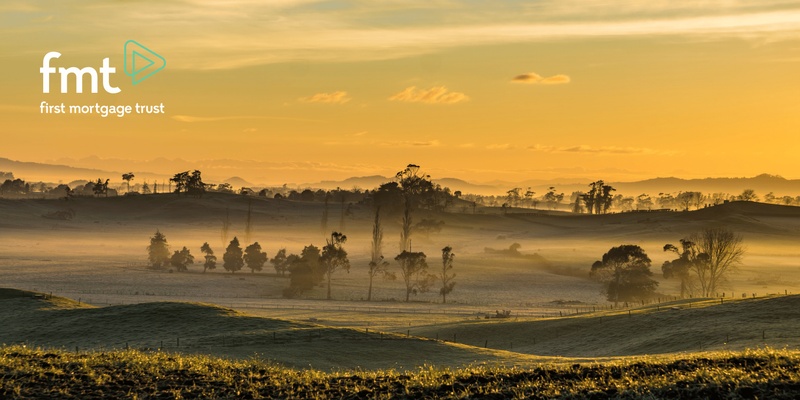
x: 625, y: 271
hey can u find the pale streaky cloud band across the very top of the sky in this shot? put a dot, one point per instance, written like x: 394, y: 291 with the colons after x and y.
x: 255, y: 32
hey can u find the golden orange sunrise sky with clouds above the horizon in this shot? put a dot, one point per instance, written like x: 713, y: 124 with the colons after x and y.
x: 305, y: 90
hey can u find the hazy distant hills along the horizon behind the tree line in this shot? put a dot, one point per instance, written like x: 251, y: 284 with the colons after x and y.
x: 762, y: 184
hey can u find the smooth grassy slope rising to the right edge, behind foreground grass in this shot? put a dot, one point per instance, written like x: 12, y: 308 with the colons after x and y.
x: 681, y: 326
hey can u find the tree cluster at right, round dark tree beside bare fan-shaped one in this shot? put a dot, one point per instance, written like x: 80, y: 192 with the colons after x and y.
x: 703, y: 262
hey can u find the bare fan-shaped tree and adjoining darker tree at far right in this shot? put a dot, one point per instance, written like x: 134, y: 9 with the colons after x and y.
x: 710, y: 255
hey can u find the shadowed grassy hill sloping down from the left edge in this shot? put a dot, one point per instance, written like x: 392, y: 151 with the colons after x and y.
x: 208, y: 329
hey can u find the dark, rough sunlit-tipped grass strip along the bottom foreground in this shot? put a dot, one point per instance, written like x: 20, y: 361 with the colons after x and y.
x: 37, y: 373
